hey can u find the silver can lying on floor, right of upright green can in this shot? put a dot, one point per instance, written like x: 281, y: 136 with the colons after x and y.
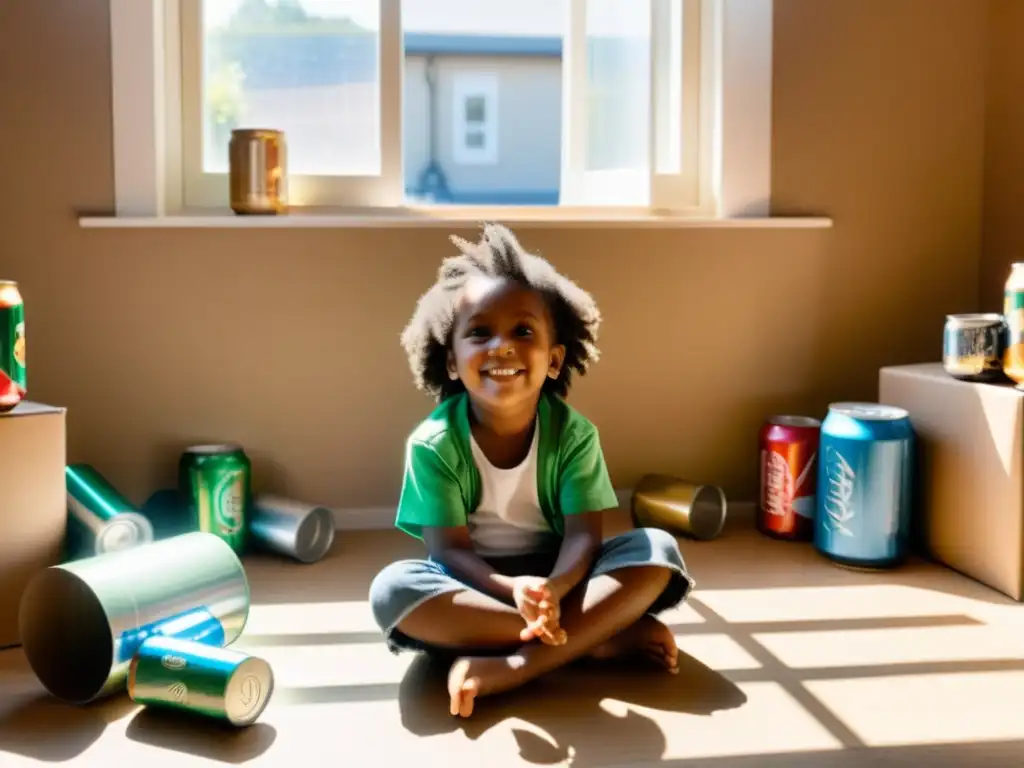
x: 301, y: 531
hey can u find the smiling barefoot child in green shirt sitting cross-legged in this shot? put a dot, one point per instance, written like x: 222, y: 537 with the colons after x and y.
x: 506, y: 484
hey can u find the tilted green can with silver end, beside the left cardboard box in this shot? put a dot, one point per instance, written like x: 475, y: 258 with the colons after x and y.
x: 100, y: 520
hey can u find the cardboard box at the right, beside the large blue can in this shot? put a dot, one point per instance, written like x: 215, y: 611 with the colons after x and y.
x: 971, y: 472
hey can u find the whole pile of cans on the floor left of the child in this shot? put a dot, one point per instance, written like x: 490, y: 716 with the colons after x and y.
x: 159, y: 594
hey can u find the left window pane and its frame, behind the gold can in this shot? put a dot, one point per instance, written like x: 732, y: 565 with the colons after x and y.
x: 313, y: 69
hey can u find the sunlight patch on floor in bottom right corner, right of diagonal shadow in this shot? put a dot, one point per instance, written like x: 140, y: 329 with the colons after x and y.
x: 927, y: 709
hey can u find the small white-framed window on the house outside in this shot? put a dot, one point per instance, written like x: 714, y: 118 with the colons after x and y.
x: 476, y: 119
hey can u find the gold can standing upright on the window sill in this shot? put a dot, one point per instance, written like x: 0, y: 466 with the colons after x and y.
x: 259, y: 162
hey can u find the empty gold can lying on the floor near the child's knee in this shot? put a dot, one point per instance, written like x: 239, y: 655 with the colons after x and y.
x: 679, y: 507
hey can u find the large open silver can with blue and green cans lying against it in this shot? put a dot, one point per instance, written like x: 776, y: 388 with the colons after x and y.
x: 157, y: 620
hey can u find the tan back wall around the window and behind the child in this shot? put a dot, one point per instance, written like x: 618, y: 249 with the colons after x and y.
x: 288, y: 342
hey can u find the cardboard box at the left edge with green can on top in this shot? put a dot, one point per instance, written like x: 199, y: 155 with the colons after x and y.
x: 33, y: 502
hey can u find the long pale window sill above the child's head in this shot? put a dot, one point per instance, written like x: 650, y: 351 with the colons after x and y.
x: 435, y: 218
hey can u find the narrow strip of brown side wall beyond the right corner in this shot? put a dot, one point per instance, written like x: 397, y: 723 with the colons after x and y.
x: 1004, y: 150
